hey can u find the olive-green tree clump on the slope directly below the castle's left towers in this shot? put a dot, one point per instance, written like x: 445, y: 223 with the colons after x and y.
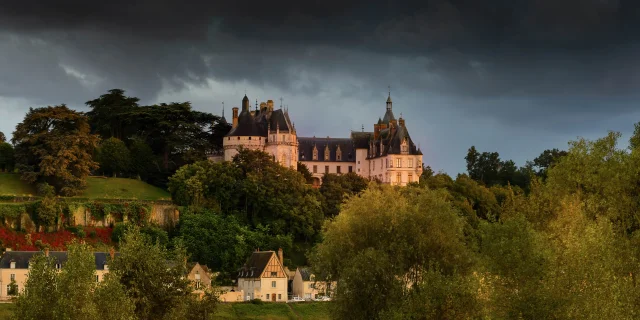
x: 256, y: 189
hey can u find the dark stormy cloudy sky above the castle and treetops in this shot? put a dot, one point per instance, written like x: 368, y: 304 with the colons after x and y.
x: 513, y: 76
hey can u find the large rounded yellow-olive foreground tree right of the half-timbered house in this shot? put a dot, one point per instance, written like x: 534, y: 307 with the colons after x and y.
x: 385, y: 241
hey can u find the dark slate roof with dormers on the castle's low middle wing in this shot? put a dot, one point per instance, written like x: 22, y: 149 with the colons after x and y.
x: 306, y: 144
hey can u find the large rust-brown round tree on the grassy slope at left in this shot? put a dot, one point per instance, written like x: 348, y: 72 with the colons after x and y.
x: 54, y: 145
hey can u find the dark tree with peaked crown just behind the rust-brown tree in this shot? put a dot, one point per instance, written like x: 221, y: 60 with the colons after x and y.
x: 109, y: 113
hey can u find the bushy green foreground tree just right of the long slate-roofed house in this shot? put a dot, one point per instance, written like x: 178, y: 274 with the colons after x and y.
x: 153, y: 277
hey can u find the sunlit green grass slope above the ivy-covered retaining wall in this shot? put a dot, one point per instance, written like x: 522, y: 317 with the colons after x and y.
x: 97, y: 188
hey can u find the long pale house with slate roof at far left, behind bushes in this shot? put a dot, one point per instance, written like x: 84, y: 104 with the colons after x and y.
x: 14, y: 268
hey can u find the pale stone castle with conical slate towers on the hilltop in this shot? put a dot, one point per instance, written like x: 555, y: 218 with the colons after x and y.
x: 387, y: 154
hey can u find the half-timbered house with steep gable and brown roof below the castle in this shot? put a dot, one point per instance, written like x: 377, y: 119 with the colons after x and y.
x: 263, y: 277
